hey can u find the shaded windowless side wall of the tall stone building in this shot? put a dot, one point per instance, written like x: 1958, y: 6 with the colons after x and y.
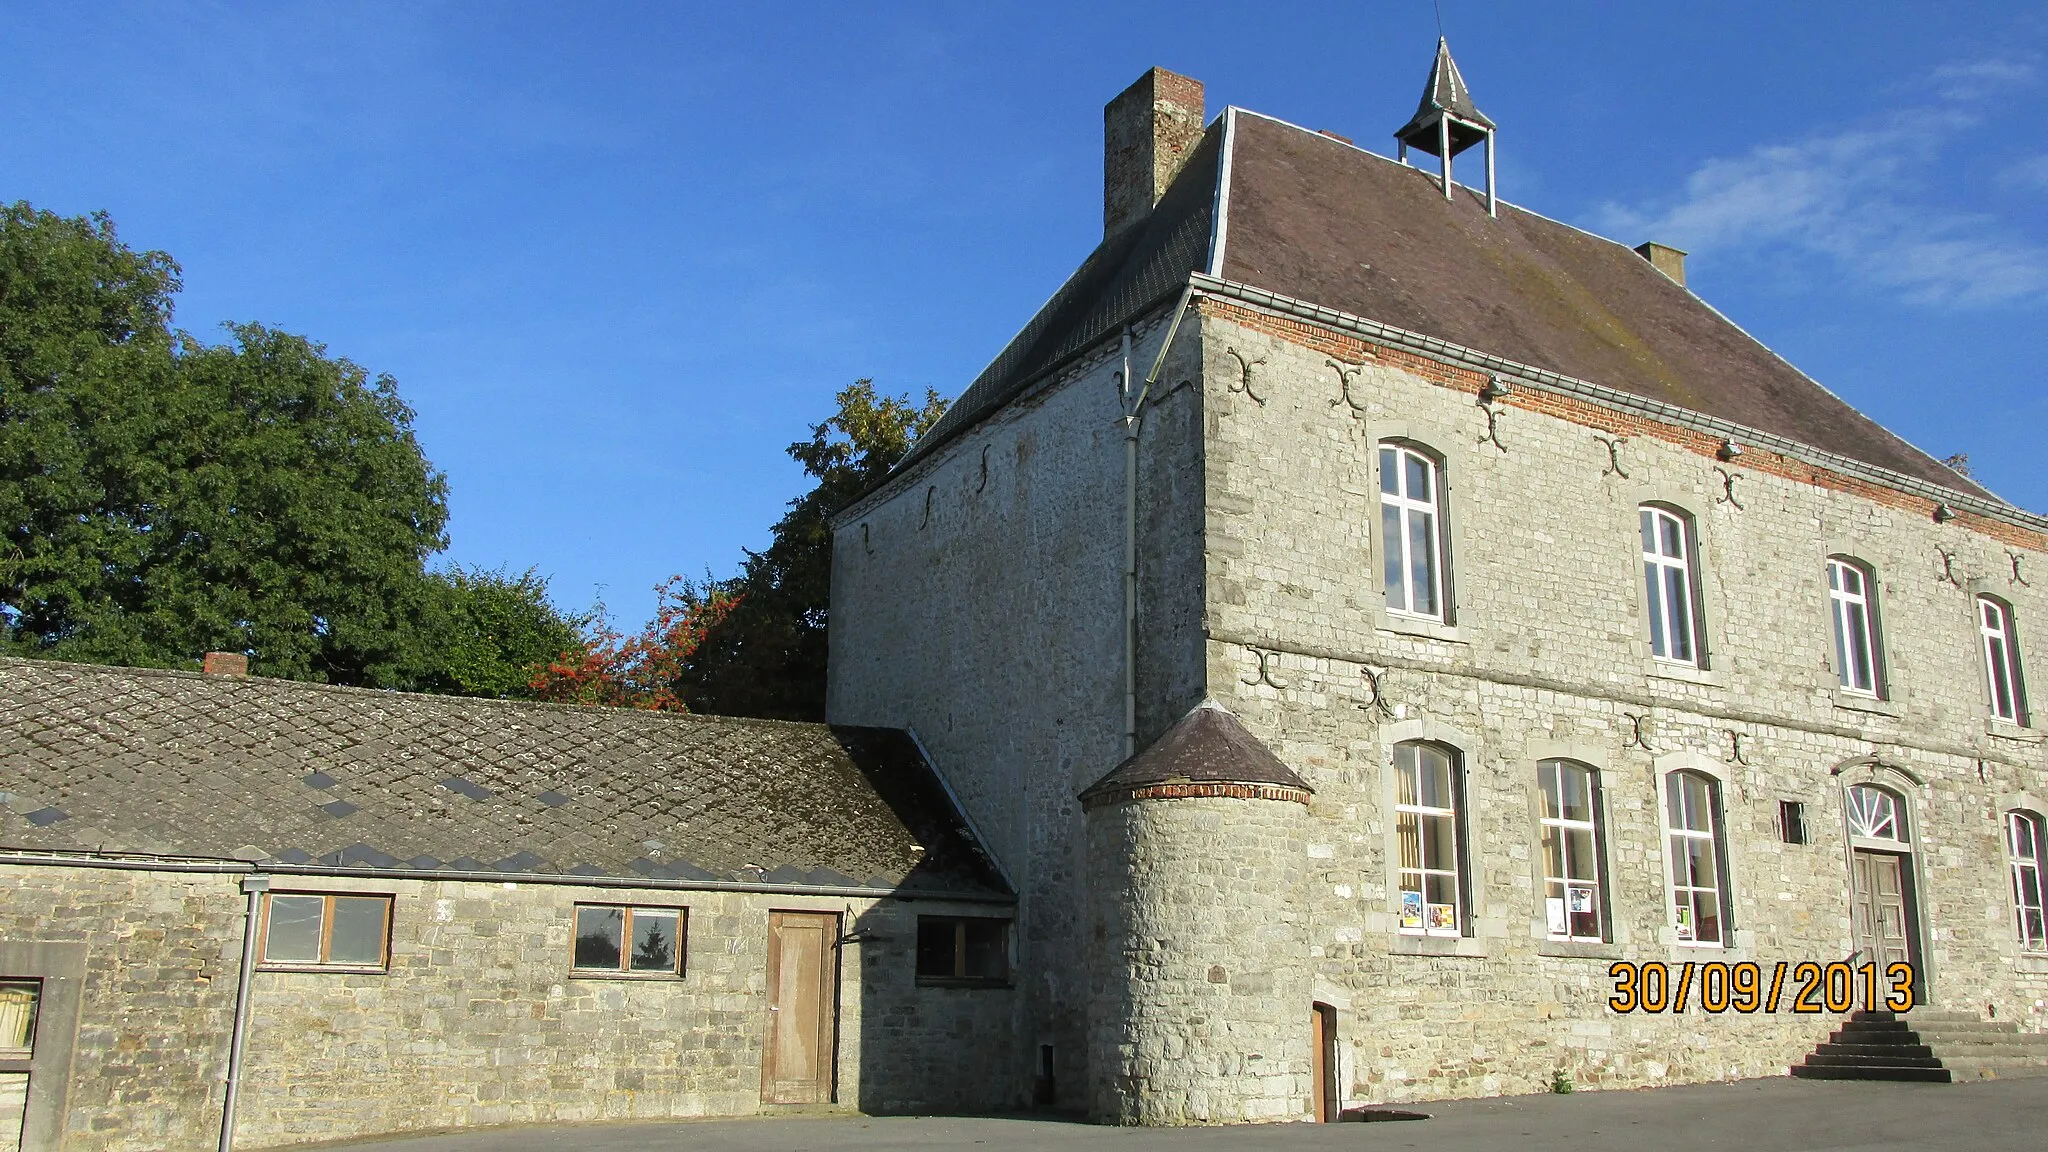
x: 980, y: 602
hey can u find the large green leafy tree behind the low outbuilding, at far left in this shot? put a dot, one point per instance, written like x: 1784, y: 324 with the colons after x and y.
x: 163, y: 497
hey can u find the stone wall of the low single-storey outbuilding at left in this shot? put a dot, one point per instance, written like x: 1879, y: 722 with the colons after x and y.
x: 478, y: 1020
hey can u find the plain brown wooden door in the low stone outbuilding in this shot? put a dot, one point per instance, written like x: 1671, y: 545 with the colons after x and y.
x: 804, y: 1005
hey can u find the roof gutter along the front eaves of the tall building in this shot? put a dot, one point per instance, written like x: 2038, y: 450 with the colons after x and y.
x: 1560, y: 384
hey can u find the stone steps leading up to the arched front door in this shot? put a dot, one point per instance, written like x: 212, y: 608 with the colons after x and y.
x: 1930, y: 1046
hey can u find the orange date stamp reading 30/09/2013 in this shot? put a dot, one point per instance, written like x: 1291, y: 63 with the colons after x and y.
x: 1785, y: 987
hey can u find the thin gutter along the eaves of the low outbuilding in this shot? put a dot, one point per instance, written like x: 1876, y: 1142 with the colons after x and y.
x: 644, y: 882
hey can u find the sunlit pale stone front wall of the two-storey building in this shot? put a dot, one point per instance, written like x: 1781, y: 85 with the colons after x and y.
x: 1547, y: 655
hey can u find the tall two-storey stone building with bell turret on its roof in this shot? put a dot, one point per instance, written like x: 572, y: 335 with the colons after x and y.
x: 1361, y: 612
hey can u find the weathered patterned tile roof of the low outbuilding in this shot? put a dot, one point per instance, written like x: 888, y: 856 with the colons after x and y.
x: 189, y: 766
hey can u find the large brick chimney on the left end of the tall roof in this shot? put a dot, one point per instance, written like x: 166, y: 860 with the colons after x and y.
x: 1148, y: 134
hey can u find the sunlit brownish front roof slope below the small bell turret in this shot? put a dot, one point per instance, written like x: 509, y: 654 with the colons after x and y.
x: 1330, y: 224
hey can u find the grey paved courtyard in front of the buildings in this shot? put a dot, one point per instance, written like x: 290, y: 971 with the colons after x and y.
x: 1752, y: 1116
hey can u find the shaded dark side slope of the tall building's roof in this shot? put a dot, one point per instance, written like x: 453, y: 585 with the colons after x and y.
x: 1119, y: 282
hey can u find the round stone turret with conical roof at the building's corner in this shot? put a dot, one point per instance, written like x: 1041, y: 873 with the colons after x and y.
x: 1199, y: 1001
